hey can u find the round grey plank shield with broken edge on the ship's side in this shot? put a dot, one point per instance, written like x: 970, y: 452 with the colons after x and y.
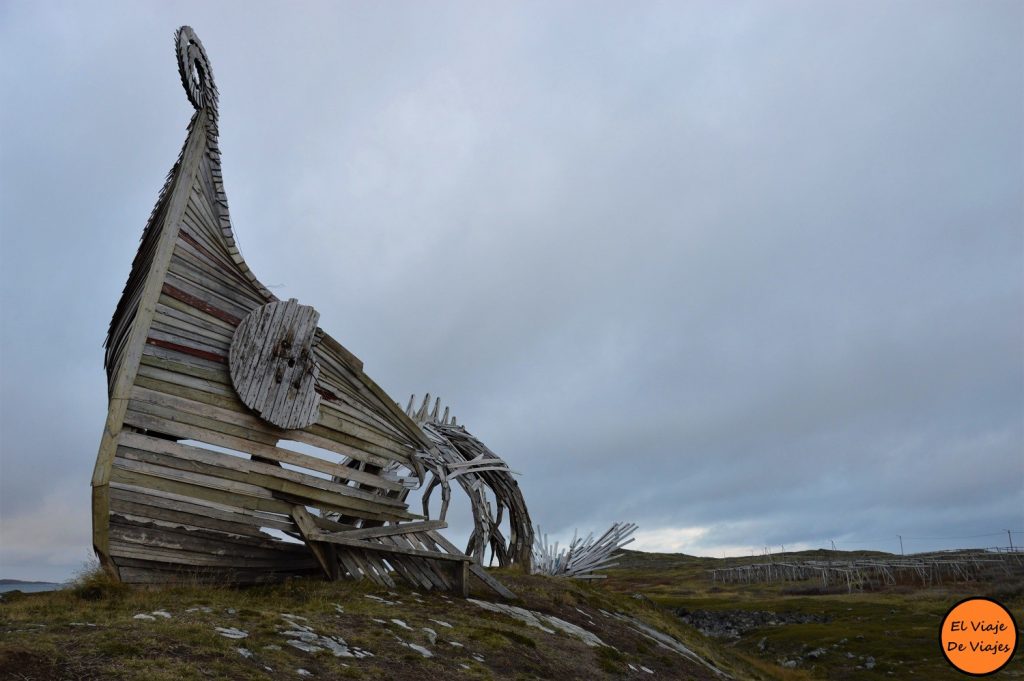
x: 273, y: 366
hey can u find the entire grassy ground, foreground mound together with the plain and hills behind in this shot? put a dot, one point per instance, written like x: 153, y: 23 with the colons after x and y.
x: 626, y: 627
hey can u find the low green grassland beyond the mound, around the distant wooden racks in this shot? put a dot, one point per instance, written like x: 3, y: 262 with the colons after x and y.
x: 898, y: 627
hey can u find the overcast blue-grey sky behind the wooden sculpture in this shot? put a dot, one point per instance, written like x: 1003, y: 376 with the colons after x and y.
x: 744, y: 274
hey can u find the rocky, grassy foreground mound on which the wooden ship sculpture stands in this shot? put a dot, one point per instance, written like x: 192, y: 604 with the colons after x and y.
x: 560, y: 629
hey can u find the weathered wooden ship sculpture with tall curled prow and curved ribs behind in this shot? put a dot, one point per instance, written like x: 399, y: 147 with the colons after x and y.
x: 211, y: 378
